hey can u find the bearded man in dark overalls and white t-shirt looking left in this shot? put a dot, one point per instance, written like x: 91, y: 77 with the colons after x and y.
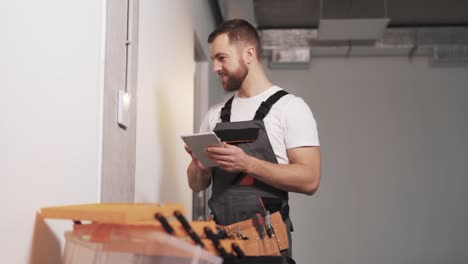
x: 271, y: 147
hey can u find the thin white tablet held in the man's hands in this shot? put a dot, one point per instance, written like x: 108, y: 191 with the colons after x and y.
x: 197, y: 143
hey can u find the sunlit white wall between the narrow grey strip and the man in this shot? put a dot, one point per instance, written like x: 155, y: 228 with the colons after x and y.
x: 166, y: 96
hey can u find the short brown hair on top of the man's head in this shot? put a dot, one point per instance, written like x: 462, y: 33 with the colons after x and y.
x: 238, y: 30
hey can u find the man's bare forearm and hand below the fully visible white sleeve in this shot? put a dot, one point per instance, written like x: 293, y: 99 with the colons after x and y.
x: 301, y: 175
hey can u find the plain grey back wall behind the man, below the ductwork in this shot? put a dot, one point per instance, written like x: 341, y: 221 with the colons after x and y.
x: 394, y: 148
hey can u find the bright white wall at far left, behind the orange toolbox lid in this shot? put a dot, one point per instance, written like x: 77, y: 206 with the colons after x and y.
x: 50, y: 120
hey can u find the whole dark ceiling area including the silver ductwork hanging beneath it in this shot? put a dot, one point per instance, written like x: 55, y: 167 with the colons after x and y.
x: 290, y: 30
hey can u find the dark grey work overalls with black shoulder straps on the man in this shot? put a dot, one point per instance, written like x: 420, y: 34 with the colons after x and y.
x: 236, y: 196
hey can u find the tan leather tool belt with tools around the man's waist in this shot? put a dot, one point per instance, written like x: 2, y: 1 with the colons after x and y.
x: 257, y: 237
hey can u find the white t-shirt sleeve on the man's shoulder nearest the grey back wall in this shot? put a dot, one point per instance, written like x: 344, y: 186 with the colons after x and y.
x: 300, y: 127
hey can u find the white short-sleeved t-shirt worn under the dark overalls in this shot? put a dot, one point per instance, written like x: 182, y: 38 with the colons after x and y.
x: 289, y: 124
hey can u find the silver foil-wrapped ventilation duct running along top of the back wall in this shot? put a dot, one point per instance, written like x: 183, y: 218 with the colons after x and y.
x: 443, y: 45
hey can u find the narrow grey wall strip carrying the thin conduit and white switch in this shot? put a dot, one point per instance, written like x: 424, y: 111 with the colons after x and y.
x: 118, y: 150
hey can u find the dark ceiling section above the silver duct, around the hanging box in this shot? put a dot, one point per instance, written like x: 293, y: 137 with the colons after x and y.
x: 282, y: 14
